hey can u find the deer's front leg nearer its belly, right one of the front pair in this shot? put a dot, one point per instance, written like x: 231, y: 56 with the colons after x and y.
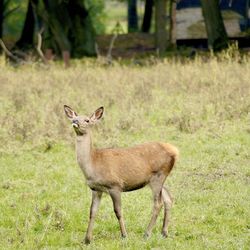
x: 116, y: 198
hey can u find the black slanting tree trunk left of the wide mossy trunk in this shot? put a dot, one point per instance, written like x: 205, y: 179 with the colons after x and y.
x: 26, y: 39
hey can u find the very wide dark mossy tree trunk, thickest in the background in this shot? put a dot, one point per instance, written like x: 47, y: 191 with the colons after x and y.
x: 69, y: 28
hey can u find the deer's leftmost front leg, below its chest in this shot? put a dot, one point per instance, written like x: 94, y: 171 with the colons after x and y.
x: 96, y: 198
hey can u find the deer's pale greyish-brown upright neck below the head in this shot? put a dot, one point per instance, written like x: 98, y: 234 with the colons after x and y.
x: 84, y: 152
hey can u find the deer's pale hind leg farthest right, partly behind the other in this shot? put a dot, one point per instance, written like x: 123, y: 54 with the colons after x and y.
x: 167, y: 200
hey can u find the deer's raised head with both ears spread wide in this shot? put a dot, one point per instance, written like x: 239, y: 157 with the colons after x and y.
x: 82, y: 123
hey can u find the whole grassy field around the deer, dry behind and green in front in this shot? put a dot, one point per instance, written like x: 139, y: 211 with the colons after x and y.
x: 201, y: 106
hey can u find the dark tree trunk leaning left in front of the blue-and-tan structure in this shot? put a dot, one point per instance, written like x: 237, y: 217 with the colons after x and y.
x: 216, y: 32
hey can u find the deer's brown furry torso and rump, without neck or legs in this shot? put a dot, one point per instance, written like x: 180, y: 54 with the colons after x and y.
x: 128, y: 168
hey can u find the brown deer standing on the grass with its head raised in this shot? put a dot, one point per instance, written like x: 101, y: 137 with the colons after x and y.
x: 117, y: 170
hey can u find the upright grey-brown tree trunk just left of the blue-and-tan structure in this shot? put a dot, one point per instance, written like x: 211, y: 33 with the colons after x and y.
x: 160, y: 26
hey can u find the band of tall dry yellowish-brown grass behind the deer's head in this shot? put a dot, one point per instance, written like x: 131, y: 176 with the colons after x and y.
x: 187, y: 96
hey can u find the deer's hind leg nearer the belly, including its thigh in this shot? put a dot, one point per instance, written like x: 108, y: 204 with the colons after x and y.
x: 156, y: 184
